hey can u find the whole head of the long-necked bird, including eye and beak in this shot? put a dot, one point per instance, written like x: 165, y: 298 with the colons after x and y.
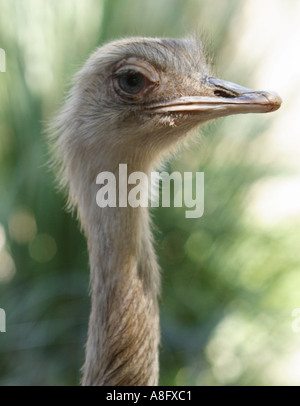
x: 135, y: 99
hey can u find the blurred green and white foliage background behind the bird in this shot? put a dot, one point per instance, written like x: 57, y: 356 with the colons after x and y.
x: 230, y: 278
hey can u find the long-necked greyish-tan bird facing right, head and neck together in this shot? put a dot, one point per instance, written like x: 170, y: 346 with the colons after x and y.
x: 134, y: 102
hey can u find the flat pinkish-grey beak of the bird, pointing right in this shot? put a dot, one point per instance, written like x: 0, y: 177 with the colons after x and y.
x: 225, y: 98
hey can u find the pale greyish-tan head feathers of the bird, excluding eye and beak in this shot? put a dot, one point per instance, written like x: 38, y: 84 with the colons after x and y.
x: 97, y: 129
